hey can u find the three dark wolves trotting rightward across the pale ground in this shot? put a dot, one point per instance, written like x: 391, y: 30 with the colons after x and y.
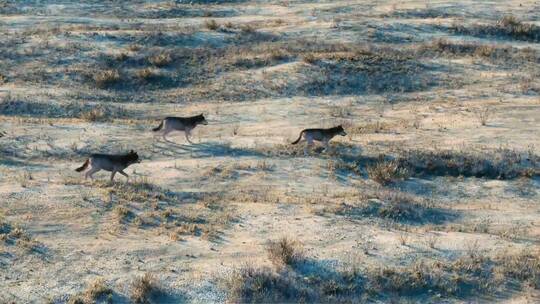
x: 117, y: 163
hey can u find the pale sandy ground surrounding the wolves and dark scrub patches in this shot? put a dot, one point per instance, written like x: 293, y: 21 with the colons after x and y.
x: 241, y: 183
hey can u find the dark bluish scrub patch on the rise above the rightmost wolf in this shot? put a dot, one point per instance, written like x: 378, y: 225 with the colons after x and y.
x: 366, y: 71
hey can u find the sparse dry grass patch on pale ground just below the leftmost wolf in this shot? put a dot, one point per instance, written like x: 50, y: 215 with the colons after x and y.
x: 148, y: 206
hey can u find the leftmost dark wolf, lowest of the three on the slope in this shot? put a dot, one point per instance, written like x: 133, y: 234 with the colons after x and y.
x: 109, y: 162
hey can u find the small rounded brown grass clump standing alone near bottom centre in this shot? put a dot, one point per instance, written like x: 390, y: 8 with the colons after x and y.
x: 284, y: 252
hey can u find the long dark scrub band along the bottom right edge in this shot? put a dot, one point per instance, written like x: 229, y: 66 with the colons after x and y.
x: 464, y: 278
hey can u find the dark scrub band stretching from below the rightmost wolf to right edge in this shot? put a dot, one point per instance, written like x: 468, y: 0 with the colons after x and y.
x: 387, y: 169
